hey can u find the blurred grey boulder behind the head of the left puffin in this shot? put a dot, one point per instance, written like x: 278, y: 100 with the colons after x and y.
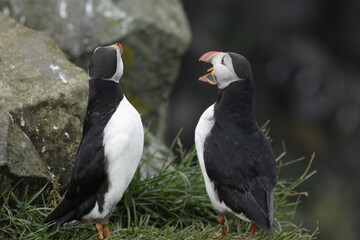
x: 155, y: 33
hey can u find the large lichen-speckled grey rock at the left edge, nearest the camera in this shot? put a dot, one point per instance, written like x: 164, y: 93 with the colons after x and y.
x: 43, y: 99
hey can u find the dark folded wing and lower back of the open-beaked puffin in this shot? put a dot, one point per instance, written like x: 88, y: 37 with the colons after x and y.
x: 241, y: 164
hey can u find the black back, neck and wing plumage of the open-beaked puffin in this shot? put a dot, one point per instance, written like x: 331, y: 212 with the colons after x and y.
x: 238, y: 157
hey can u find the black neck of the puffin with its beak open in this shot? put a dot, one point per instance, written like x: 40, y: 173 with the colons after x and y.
x: 236, y: 103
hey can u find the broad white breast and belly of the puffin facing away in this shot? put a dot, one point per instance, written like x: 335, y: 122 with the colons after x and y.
x: 123, y: 146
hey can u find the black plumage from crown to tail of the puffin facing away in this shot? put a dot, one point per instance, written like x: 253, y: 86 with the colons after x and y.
x: 89, y: 181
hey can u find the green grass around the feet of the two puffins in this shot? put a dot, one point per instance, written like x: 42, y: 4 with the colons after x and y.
x: 170, y: 205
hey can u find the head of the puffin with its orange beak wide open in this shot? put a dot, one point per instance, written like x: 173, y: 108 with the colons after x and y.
x: 227, y: 67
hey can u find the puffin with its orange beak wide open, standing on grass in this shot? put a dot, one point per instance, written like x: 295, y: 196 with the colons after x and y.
x: 235, y: 157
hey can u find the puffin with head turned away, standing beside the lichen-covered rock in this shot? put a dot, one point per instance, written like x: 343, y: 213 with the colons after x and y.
x: 109, y: 152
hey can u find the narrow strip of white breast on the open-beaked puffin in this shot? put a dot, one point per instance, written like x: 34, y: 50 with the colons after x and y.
x: 202, y: 131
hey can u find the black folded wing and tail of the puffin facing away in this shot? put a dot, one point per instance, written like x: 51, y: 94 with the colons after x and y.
x: 89, y: 183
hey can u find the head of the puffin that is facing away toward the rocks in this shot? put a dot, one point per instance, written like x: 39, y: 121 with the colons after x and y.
x: 106, y: 63
